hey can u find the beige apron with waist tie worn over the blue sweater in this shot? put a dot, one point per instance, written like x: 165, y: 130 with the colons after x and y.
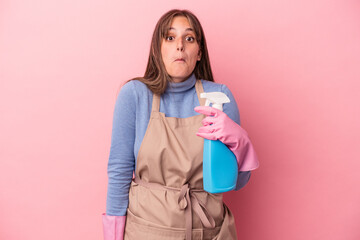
x: 166, y: 199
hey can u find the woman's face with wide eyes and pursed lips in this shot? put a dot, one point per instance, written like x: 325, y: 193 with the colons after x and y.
x: 180, y: 50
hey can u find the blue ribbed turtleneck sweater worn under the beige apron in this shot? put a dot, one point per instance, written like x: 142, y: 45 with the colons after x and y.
x: 131, y: 117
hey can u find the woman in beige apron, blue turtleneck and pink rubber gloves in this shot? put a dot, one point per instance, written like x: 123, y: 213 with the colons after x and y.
x: 158, y: 134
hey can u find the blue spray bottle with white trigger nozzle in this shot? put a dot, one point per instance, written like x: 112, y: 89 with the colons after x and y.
x: 220, y: 167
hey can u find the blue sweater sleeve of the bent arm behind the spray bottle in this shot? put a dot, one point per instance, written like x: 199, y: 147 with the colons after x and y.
x: 231, y: 109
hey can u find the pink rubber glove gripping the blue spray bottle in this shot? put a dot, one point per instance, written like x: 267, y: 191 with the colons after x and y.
x: 230, y: 133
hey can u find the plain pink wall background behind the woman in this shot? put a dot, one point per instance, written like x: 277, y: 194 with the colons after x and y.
x: 293, y: 66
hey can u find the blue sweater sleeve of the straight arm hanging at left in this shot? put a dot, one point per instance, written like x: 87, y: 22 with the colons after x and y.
x: 121, y: 158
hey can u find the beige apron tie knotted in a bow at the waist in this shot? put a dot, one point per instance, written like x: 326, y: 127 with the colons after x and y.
x: 187, y: 202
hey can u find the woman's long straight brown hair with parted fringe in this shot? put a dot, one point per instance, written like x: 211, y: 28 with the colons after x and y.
x: 156, y: 76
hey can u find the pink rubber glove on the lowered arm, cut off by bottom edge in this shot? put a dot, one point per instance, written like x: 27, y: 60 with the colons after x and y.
x: 113, y: 227
